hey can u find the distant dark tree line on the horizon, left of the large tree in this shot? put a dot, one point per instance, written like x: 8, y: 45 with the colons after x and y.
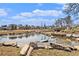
x: 22, y: 27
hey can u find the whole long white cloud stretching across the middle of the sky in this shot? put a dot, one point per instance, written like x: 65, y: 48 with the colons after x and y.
x: 37, y: 12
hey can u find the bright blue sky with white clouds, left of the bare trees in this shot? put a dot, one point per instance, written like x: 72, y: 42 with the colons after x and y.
x: 30, y: 13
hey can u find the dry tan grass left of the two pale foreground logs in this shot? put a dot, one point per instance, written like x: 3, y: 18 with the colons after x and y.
x: 9, y: 51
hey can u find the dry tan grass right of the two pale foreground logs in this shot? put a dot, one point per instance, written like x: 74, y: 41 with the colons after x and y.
x: 53, y: 52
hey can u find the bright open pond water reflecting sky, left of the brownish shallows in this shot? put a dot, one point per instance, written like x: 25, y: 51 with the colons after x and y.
x: 24, y: 38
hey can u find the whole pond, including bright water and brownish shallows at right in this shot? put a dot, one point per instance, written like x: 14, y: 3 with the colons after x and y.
x: 26, y: 38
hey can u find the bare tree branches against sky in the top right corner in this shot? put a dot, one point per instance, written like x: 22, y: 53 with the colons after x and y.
x: 71, y: 8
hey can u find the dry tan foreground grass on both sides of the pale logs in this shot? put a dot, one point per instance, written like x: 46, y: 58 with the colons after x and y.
x: 13, y: 51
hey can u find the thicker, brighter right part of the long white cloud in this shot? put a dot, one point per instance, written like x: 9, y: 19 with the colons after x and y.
x: 47, y: 12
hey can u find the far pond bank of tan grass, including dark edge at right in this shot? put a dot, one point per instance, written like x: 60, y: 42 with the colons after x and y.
x: 45, y: 32
